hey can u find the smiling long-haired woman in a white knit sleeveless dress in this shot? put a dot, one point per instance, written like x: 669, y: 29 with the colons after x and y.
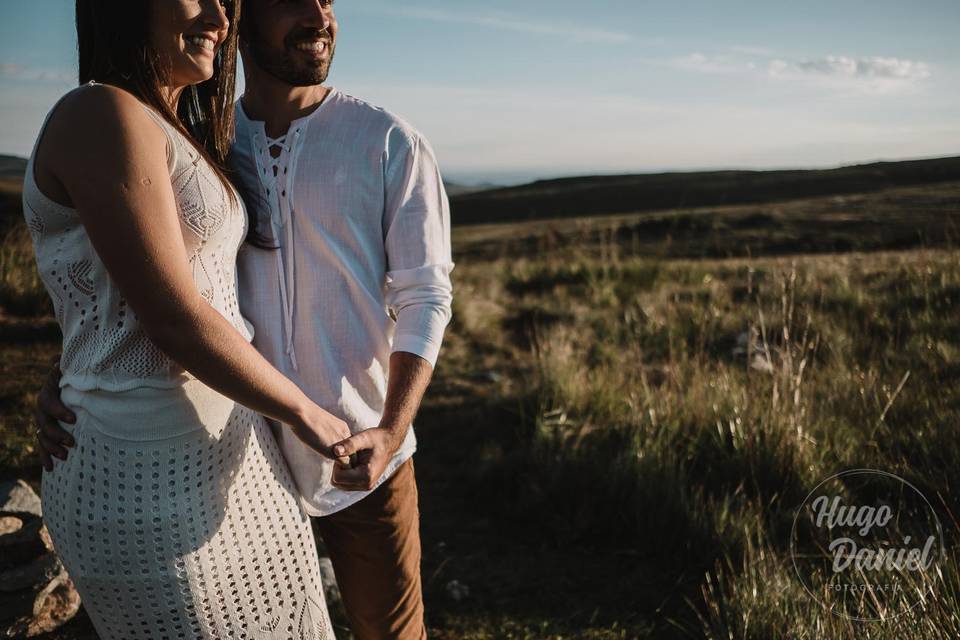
x: 175, y: 514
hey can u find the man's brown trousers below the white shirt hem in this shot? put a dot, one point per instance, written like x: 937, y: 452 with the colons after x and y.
x: 374, y: 546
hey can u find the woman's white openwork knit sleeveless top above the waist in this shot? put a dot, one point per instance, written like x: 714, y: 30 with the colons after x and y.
x: 104, y: 345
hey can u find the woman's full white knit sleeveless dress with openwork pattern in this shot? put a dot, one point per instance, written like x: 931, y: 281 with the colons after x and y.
x: 175, y: 513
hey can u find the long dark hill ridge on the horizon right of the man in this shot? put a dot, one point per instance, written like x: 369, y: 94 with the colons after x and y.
x: 595, y: 195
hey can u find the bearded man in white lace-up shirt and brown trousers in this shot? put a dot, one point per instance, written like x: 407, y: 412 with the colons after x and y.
x: 351, y: 304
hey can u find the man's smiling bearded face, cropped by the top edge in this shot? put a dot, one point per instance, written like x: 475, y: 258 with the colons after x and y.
x: 292, y: 40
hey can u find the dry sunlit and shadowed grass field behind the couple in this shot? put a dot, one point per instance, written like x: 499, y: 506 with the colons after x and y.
x: 628, y: 410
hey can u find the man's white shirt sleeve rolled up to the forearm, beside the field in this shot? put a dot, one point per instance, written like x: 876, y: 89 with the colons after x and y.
x: 417, y: 242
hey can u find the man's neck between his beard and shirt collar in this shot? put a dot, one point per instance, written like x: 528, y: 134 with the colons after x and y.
x: 277, y: 104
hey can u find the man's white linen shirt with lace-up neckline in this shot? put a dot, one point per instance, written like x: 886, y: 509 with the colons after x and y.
x: 357, y: 206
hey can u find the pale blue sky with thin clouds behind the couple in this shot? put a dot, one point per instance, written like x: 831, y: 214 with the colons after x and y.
x: 510, y: 91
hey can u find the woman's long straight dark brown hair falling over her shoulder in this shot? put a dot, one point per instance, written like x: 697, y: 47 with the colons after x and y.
x: 114, y: 48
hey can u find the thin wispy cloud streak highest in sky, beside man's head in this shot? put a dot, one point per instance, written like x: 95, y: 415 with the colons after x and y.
x: 505, y: 22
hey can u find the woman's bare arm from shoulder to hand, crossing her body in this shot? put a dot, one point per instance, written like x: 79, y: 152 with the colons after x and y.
x: 110, y: 158
